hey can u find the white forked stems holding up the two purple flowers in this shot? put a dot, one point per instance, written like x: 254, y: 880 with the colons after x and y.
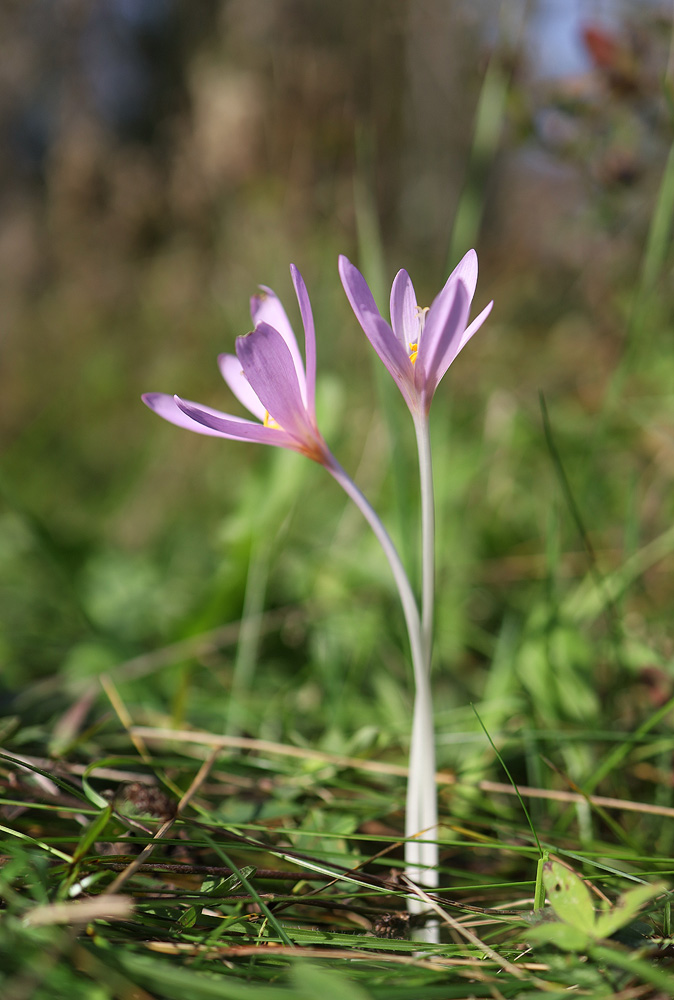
x: 421, y: 852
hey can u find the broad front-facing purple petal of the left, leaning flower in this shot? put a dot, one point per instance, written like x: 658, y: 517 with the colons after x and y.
x: 268, y: 364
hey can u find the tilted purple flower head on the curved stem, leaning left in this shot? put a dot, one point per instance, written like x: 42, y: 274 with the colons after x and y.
x: 268, y: 376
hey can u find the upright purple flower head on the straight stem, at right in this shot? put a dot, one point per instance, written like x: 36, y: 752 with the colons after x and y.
x: 420, y: 344
